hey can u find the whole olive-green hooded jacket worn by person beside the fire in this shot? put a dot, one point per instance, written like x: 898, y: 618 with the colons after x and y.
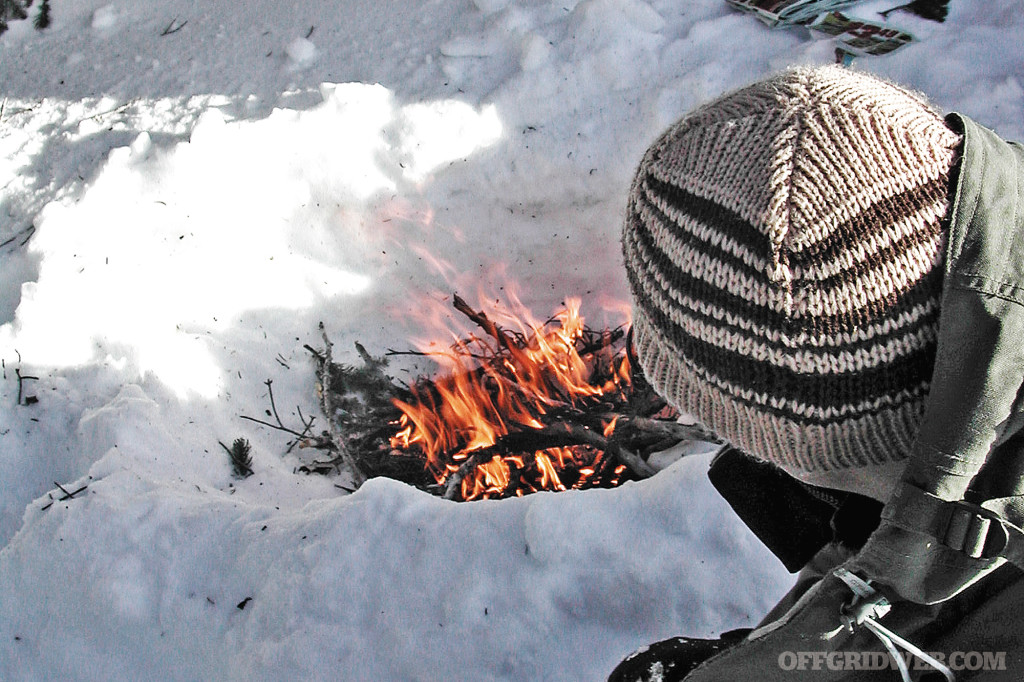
x: 958, y: 515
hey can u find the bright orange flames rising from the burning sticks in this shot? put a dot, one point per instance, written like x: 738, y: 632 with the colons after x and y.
x: 492, y: 391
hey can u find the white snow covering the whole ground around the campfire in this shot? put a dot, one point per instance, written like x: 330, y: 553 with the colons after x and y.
x: 181, y: 208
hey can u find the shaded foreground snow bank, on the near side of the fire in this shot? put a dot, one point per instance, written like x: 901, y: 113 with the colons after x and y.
x: 157, y: 578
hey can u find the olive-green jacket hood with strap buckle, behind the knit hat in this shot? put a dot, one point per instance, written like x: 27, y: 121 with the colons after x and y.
x: 960, y: 511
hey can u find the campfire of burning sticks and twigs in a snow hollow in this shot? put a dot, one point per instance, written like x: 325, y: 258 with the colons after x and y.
x: 517, y: 407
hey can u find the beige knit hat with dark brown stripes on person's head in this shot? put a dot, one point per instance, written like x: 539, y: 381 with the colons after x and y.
x: 784, y: 245
